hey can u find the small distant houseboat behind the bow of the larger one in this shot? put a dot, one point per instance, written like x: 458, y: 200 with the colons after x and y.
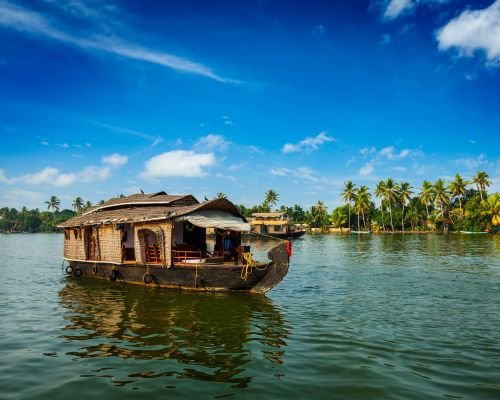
x: 275, y: 224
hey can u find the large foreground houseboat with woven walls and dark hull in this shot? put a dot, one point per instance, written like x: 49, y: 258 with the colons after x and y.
x: 160, y: 240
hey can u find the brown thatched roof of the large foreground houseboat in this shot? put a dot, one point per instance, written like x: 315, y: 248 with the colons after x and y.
x: 143, y: 208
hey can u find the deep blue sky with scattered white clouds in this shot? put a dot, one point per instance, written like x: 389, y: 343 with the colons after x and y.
x: 99, y: 98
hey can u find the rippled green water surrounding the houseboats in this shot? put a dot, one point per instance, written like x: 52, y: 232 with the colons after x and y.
x: 369, y: 317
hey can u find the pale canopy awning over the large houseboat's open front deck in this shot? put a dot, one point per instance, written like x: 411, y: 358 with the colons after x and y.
x: 216, y: 219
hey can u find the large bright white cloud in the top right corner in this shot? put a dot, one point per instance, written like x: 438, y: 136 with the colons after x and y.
x: 474, y: 30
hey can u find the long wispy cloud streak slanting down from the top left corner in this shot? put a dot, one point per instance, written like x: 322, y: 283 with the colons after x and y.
x: 25, y: 20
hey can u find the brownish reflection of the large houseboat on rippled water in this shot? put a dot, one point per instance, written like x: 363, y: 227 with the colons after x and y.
x: 147, y: 333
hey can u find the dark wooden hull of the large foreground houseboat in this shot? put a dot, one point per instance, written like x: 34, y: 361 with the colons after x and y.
x: 260, y: 277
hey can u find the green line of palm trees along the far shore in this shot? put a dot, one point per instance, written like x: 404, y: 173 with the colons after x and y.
x: 392, y: 206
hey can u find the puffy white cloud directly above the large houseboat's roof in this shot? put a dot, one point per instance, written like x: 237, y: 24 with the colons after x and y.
x: 178, y: 163
